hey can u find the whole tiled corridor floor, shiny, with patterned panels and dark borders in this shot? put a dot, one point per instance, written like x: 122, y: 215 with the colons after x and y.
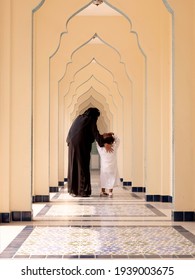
x: 125, y: 226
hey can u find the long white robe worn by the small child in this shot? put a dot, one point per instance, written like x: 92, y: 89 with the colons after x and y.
x: 109, y: 175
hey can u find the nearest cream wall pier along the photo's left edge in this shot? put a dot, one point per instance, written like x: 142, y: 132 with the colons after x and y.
x: 15, y: 97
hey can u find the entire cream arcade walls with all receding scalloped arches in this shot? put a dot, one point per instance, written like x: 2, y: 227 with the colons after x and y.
x: 139, y: 71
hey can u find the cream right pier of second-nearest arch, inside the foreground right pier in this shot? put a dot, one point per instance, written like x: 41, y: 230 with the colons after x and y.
x: 155, y: 40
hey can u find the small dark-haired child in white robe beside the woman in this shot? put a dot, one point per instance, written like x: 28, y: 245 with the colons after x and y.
x: 109, y: 176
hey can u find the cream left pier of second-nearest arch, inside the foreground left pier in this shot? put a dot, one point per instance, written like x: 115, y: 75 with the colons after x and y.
x: 46, y: 171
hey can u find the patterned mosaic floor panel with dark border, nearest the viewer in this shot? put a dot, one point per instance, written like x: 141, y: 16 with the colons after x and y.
x: 107, y: 242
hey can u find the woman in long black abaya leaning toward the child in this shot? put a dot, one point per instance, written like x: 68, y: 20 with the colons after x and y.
x: 81, y: 135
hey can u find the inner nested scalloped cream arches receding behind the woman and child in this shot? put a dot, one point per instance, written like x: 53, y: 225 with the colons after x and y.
x: 70, y: 82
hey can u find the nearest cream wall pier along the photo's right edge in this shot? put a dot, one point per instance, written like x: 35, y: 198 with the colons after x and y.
x: 183, y: 107
